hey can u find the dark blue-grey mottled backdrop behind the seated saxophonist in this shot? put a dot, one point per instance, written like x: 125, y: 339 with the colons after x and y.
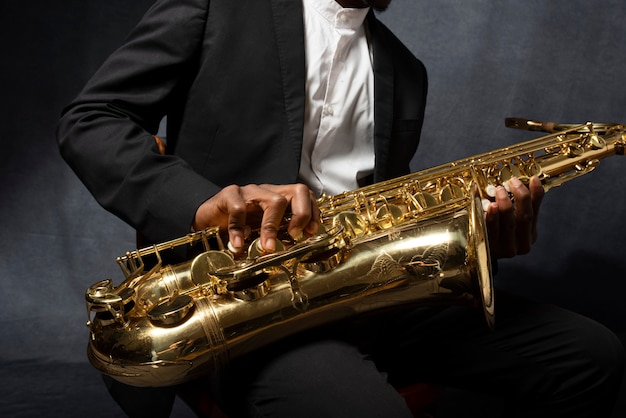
x: 561, y: 60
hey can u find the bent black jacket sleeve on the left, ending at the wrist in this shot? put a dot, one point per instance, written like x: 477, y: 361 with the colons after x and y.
x: 106, y: 133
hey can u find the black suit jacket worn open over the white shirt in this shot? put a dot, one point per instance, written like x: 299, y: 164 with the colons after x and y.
x: 230, y: 77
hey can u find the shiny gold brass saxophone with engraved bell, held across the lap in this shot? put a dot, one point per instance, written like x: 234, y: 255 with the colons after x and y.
x: 416, y: 240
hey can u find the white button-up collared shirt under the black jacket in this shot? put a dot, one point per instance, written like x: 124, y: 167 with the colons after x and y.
x: 338, y: 144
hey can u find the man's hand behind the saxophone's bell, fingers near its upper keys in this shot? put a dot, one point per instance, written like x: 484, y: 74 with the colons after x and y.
x: 512, y: 224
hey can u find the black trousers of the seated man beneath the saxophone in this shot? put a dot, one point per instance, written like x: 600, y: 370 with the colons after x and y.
x: 541, y: 361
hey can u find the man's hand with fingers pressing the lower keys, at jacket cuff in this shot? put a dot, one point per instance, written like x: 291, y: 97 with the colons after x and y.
x: 239, y: 208
